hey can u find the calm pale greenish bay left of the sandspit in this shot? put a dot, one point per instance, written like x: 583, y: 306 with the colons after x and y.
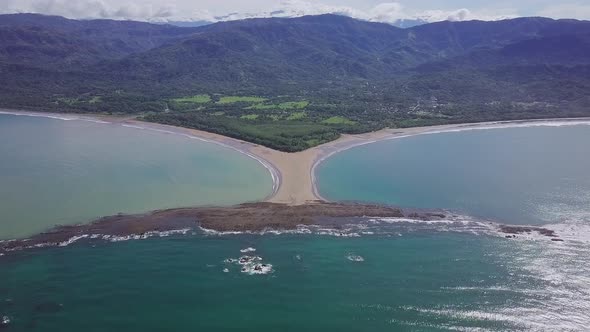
x: 62, y: 172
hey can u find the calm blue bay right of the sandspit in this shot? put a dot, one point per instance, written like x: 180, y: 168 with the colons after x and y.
x: 534, y: 175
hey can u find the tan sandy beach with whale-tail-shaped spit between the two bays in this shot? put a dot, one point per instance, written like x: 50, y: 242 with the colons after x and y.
x: 294, y: 174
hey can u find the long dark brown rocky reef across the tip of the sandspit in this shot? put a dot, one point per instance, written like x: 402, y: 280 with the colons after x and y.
x: 245, y: 217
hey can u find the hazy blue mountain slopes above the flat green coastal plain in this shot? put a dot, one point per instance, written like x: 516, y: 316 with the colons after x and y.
x: 281, y: 52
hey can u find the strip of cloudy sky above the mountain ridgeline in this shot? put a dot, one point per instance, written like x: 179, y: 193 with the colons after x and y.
x: 371, y: 10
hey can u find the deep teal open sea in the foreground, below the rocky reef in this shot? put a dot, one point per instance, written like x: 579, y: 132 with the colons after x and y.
x: 426, y: 282
